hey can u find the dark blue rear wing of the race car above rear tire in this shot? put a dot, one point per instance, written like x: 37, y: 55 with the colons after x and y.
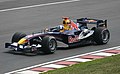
x: 99, y: 23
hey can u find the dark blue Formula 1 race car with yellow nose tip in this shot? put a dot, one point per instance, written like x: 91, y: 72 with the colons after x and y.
x: 89, y: 31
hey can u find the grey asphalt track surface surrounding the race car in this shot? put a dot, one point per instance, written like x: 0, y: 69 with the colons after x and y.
x: 37, y: 18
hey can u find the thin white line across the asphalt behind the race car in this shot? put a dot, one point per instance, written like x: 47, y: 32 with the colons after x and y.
x: 47, y: 4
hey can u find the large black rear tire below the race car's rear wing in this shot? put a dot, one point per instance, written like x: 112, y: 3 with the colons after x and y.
x: 101, y: 35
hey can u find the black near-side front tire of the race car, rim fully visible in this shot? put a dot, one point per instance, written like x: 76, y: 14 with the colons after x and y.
x: 49, y: 45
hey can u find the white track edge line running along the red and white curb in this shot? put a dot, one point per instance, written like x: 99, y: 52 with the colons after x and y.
x: 12, y: 72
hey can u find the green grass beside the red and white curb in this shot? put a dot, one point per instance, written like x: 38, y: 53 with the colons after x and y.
x: 109, y: 65
